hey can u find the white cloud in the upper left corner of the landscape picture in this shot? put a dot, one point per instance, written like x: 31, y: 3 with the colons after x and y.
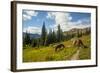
x: 28, y: 14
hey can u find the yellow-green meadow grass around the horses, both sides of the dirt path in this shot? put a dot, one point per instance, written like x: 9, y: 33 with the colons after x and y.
x: 48, y: 53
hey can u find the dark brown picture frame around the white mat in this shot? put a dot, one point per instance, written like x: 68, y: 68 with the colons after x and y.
x: 14, y: 35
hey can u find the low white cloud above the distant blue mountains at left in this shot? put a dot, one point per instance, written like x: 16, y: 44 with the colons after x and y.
x: 31, y: 29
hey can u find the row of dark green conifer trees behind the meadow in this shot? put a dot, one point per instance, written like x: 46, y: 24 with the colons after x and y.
x: 52, y: 37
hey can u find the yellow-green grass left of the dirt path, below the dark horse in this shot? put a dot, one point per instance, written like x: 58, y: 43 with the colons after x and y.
x: 47, y: 54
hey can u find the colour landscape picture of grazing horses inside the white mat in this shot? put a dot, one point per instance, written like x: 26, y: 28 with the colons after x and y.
x: 55, y: 35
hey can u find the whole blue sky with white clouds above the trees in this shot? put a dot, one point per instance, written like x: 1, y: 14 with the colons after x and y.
x: 32, y: 20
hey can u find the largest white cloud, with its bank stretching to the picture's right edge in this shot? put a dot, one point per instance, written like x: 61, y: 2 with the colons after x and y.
x: 64, y: 20
